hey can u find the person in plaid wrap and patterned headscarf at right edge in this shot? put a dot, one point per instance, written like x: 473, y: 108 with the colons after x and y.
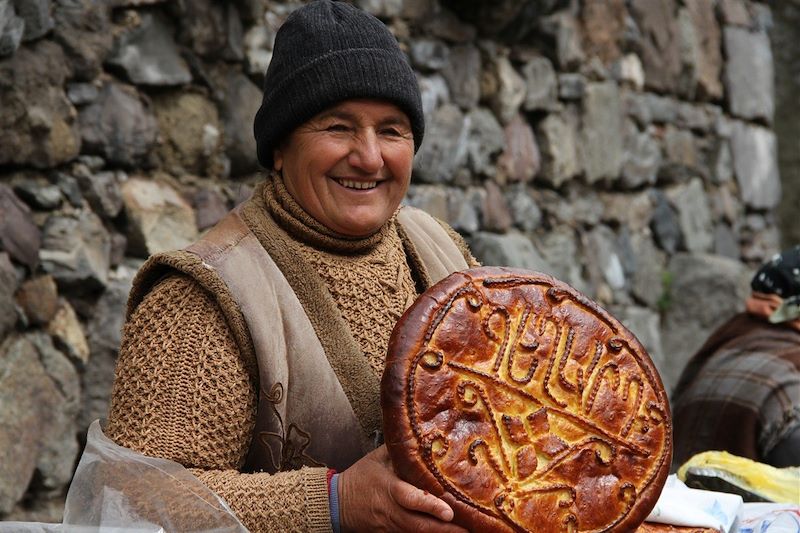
x: 741, y: 392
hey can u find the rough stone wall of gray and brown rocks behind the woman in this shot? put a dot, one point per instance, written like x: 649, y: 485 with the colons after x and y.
x: 624, y: 146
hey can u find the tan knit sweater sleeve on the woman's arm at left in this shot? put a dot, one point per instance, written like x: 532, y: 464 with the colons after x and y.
x: 182, y: 392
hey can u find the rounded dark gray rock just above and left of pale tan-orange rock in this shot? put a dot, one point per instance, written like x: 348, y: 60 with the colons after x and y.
x: 119, y: 126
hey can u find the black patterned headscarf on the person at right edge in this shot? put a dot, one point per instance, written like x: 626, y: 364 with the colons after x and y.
x: 781, y: 276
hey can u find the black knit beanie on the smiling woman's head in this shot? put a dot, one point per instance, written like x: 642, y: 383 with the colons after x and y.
x: 324, y: 53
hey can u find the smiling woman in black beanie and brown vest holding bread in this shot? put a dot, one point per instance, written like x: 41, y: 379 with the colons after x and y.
x: 254, y: 356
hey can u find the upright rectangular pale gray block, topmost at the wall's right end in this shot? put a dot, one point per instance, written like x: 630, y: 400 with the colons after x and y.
x: 749, y: 75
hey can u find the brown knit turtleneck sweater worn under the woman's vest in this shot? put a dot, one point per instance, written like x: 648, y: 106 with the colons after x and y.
x: 184, y: 392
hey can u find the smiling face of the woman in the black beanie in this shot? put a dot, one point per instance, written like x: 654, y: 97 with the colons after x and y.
x: 349, y: 166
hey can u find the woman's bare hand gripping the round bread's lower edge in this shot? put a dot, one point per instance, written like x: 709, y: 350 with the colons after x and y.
x: 373, y: 498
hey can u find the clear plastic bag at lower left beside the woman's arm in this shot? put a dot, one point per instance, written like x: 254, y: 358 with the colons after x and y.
x: 118, y: 490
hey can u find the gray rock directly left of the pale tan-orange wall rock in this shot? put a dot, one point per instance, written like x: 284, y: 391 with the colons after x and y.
x: 75, y: 251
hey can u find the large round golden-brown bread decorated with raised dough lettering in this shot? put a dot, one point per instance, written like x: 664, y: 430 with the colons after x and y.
x: 525, y: 406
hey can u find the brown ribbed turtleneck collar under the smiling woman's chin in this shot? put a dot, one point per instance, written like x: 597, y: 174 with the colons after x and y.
x: 302, y: 226
